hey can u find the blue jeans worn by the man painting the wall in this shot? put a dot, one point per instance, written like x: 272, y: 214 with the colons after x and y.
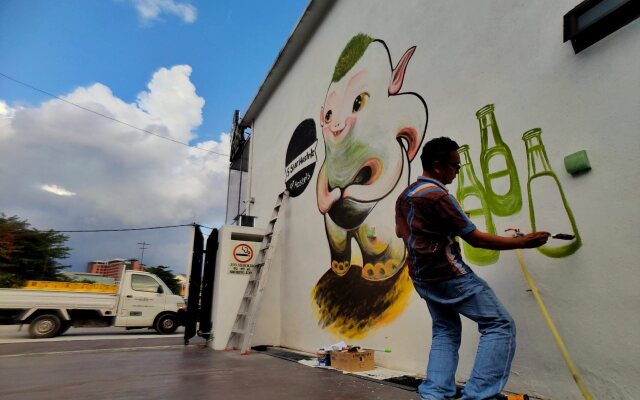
x: 471, y: 296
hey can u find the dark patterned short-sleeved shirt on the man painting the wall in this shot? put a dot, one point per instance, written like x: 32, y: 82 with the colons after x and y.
x: 428, y: 219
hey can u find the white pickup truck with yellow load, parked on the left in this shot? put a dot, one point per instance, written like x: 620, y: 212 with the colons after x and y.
x: 141, y: 300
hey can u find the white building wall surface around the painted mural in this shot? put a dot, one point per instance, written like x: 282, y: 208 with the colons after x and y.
x: 469, y: 54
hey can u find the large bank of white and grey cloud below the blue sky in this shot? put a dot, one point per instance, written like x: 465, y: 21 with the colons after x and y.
x: 123, y: 177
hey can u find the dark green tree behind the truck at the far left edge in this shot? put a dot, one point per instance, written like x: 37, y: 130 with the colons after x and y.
x: 29, y: 254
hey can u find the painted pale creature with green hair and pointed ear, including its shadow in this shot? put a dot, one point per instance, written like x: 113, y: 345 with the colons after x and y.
x: 372, y: 131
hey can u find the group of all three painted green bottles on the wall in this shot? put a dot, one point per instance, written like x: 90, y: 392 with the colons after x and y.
x: 501, y: 193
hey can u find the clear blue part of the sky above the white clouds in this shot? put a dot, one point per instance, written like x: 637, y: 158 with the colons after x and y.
x: 60, y: 45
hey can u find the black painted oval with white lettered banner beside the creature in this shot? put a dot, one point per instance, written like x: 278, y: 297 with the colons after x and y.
x: 301, y: 157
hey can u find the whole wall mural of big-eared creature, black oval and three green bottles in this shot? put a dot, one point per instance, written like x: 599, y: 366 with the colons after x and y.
x: 372, y: 131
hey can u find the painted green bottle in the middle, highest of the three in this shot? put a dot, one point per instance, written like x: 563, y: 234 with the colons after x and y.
x: 497, y: 165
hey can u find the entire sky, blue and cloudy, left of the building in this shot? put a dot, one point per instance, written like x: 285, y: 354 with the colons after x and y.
x: 175, y: 68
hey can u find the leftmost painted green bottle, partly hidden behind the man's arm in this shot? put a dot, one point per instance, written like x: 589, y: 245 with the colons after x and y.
x: 472, y: 198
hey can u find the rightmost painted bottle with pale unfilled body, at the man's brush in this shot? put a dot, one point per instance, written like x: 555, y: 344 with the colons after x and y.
x: 545, y: 183
